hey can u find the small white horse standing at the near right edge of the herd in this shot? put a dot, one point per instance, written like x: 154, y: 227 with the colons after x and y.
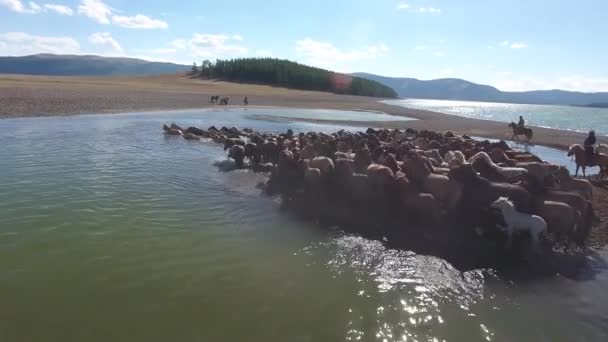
x: 517, y: 221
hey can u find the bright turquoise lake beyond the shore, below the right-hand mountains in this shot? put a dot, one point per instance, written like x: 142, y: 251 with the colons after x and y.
x: 560, y: 117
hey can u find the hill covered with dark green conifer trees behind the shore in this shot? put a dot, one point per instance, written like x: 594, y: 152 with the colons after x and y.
x: 289, y: 74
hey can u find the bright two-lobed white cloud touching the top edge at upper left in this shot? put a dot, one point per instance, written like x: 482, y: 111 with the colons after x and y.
x: 104, y: 14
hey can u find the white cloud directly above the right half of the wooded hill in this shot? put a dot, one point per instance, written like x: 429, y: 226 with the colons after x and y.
x: 326, y: 55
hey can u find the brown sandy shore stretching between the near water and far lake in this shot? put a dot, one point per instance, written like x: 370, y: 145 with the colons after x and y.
x: 27, y: 96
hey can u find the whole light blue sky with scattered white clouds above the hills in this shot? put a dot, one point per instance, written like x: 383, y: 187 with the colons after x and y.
x: 511, y: 44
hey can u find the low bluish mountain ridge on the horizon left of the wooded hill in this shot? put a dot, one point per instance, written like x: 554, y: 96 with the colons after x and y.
x: 72, y: 65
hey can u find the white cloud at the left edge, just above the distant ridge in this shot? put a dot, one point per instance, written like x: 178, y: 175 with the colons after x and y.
x: 20, y: 43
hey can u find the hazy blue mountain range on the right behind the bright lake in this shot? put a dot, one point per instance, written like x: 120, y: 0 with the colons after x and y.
x: 458, y: 89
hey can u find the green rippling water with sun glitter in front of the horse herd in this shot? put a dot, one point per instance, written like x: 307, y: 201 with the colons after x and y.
x: 110, y: 230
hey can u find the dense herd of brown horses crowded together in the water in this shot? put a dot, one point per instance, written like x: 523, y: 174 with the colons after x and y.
x: 432, y: 192
